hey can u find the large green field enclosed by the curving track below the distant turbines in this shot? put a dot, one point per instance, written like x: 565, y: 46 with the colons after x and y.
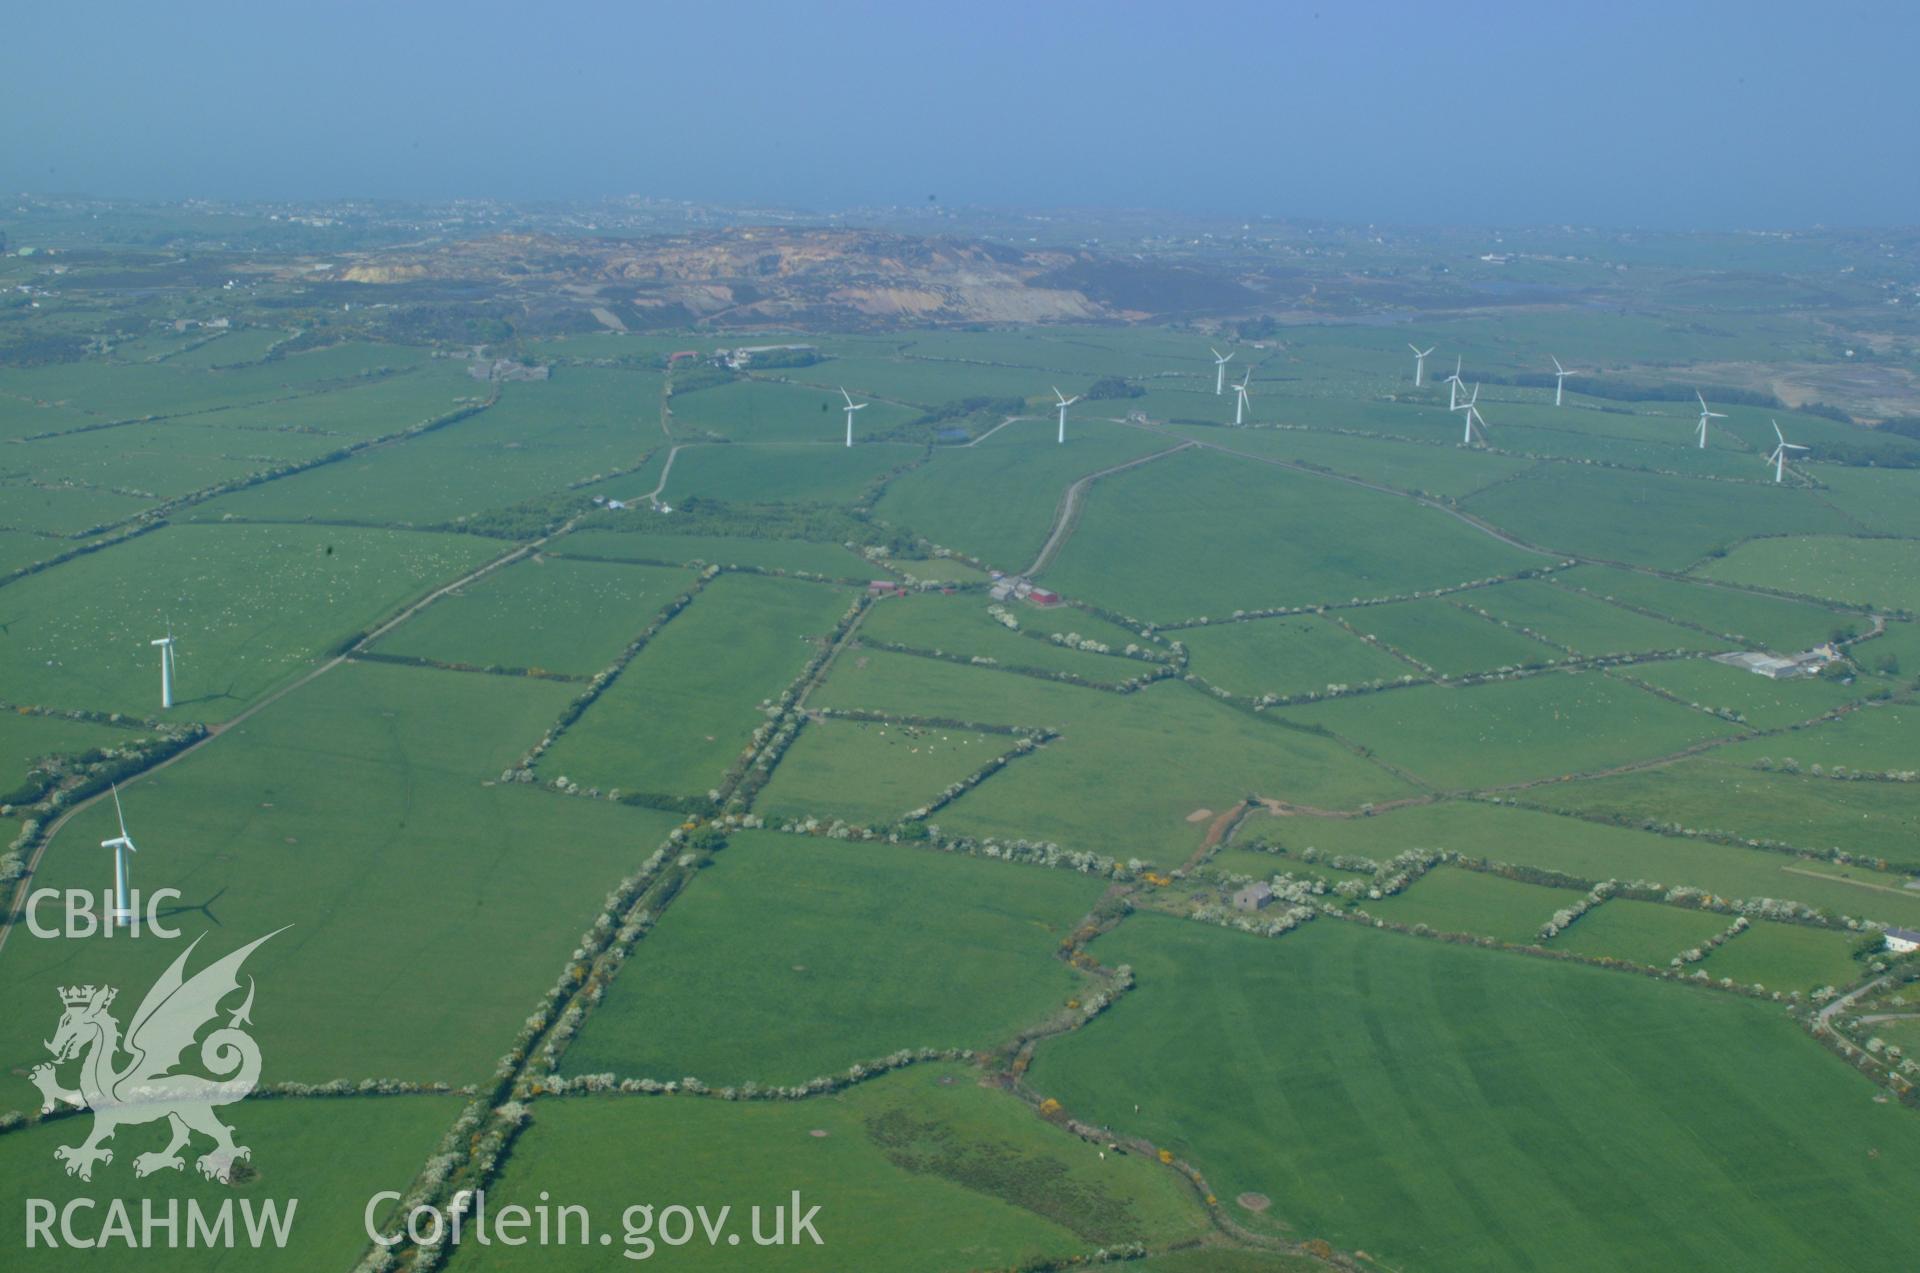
x: 1211, y: 535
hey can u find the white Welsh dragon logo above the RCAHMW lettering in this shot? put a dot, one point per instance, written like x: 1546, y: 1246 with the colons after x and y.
x: 145, y: 1088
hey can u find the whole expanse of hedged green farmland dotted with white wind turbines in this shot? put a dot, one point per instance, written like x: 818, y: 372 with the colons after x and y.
x: 948, y: 788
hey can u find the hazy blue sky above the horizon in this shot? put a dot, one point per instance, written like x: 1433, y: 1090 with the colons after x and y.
x: 1629, y: 114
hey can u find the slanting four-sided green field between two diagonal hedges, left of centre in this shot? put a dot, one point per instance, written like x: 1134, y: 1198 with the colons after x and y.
x: 677, y: 717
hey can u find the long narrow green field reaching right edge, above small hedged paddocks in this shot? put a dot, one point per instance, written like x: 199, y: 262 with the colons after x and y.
x: 1596, y: 852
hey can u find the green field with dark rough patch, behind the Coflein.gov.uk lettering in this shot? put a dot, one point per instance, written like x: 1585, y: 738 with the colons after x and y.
x: 923, y: 1170
